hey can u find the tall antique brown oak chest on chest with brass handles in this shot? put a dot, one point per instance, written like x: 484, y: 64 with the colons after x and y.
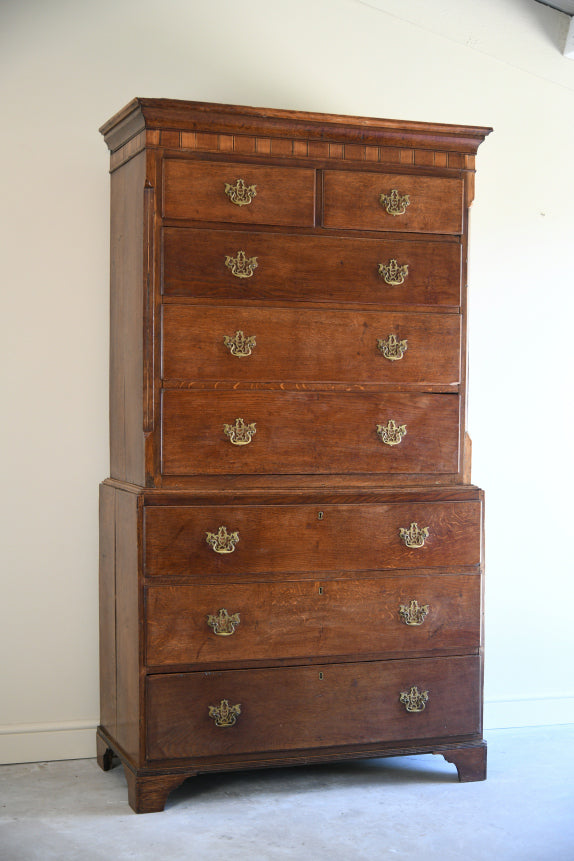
x: 291, y: 548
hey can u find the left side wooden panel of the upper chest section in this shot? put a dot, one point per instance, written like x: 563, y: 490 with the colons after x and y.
x: 127, y: 456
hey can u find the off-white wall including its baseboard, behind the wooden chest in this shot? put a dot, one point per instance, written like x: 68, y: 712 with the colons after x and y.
x: 65, y: 67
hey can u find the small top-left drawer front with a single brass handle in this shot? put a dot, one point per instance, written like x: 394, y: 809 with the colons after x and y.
x: 216, y: 191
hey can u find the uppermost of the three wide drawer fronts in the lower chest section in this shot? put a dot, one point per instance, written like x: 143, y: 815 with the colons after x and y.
x: 308, y: 539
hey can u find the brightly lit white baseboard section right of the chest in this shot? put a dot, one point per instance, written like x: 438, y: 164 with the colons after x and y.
x: 536, y: 711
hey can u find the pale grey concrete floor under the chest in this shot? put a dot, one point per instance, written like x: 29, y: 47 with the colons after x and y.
x: 406, y: 807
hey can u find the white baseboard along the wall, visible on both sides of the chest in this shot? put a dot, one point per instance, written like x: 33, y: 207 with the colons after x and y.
x: 77, y: 739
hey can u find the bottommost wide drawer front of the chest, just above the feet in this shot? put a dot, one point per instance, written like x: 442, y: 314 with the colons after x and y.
x: 293, y: 708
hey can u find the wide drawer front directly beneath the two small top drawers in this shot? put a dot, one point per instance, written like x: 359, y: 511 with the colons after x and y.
x: 201, y: 263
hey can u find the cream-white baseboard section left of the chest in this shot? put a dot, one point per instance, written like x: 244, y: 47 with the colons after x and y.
x: 47, y: 741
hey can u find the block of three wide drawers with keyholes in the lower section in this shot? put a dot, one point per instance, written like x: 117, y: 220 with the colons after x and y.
x: 291, y: 627
